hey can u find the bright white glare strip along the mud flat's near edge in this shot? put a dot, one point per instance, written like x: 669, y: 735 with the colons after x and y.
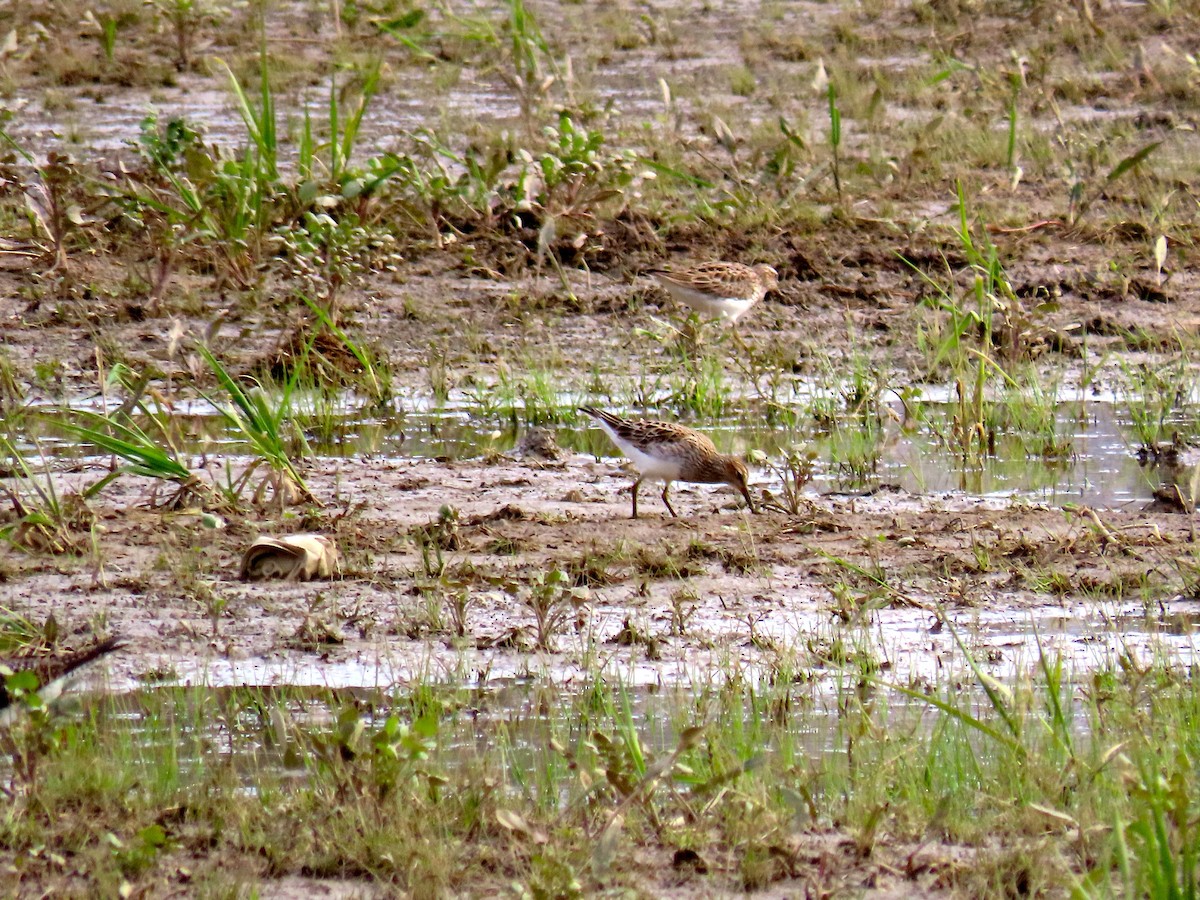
x: 908, y: 643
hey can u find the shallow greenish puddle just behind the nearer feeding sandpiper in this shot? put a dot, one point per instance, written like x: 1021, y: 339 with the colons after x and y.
x: 1101, y: 470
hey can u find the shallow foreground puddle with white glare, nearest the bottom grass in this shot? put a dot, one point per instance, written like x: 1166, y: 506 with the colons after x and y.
x: 527, y: 701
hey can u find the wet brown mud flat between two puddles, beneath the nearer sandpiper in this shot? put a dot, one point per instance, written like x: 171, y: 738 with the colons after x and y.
x: 661, y: 601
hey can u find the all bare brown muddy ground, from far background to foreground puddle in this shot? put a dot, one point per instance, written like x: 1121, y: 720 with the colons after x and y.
x: 667, y: 599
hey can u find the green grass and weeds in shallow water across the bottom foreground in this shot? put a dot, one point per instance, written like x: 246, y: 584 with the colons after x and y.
x: 1099, y: 769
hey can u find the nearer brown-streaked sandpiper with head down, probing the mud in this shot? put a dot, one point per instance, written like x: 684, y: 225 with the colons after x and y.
x: 667, y: 452
